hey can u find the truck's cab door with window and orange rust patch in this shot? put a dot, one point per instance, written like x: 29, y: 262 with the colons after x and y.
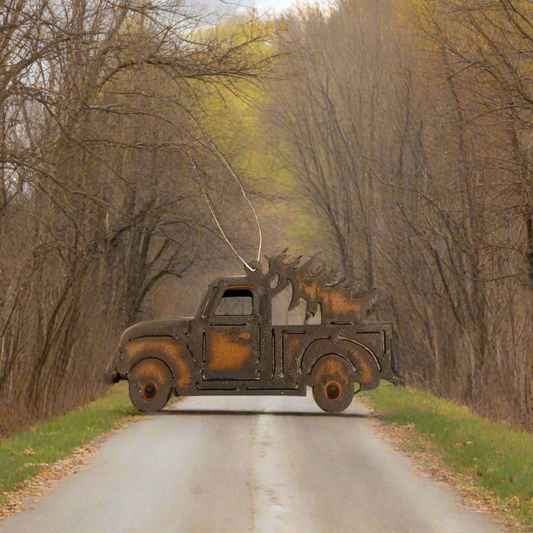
x: 231, y: 337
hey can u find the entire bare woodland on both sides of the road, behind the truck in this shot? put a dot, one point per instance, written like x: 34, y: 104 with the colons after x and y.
x: 395, y: 137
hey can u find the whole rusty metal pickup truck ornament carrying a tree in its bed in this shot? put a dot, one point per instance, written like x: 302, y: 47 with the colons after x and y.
x: 231, y: 346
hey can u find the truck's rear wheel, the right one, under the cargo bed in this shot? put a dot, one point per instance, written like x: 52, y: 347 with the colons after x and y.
x: 333, y: 384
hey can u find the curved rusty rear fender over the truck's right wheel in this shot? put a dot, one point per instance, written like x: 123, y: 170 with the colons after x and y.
x: 364, y: 367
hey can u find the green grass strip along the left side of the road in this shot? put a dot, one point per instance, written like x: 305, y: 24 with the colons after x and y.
x: 55, y: 439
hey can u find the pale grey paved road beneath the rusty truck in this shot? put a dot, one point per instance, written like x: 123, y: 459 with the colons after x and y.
x: 262, y: 464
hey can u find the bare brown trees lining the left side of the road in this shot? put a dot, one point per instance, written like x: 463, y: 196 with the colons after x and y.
x: 107, y: 130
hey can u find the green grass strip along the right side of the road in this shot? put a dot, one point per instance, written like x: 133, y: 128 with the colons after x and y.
x: 499, y: 458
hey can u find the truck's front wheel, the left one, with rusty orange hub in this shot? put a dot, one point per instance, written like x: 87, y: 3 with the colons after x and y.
x: 150, y: 385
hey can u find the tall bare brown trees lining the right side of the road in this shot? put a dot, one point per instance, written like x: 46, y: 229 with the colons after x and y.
x: 407, y: 127
